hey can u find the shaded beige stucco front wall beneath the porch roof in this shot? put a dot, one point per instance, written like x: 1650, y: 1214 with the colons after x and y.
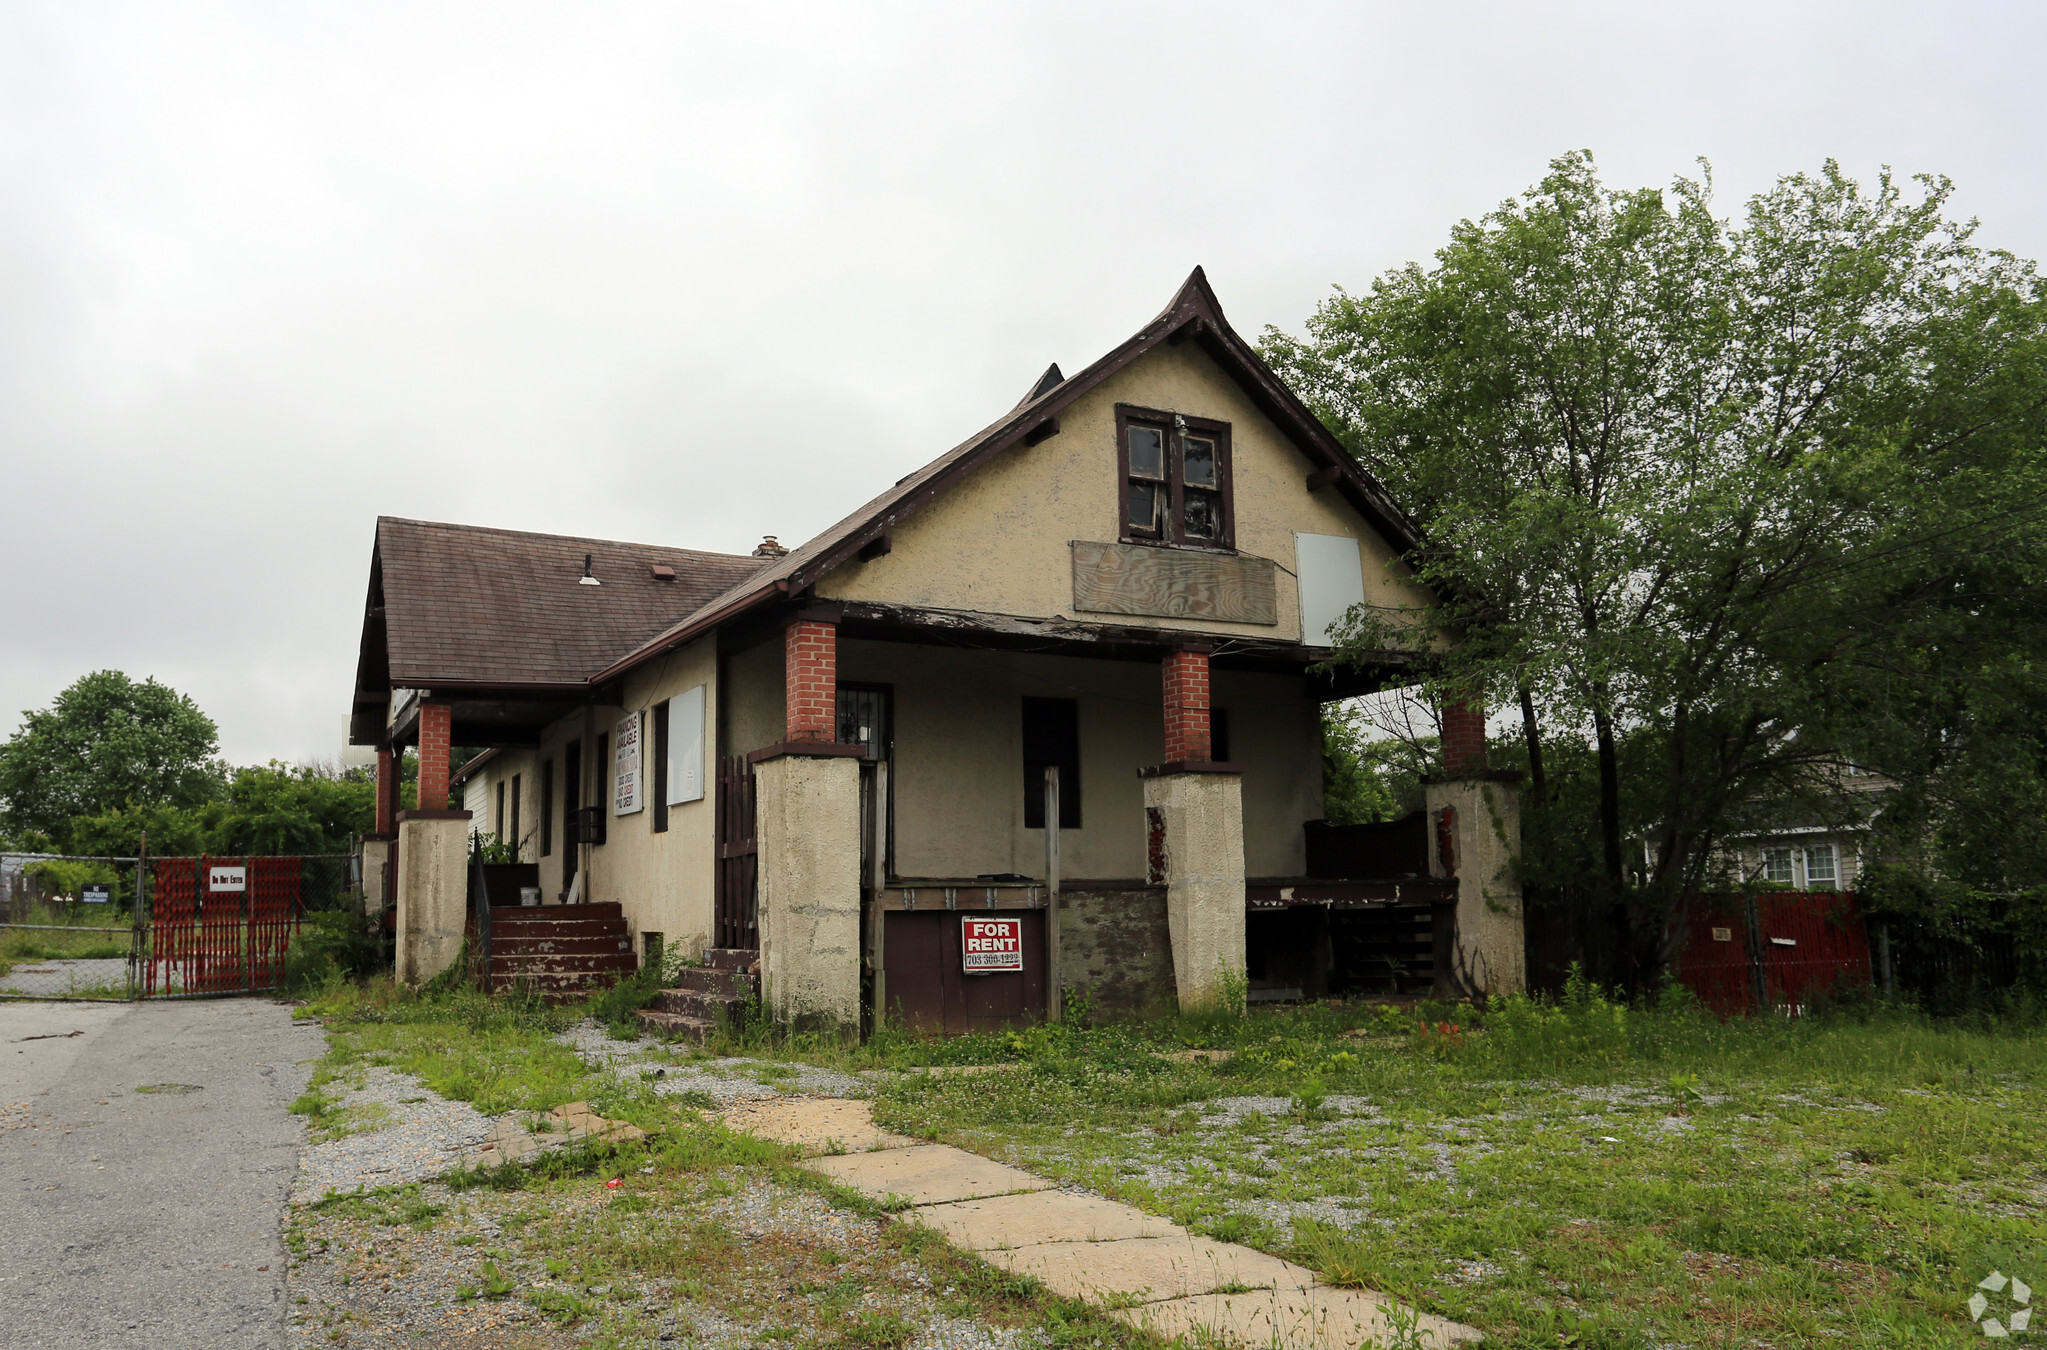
x: 959, y: 758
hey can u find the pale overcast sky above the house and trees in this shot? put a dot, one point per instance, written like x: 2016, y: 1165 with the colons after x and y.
x: 693, y: 273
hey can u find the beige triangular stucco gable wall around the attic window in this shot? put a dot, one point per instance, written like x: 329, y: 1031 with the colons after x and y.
x: 1000, y: 541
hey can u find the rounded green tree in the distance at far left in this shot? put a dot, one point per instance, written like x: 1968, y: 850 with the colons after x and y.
x: 103, y: 746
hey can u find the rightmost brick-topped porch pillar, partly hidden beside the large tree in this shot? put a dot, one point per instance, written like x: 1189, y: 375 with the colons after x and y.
x: 1475, y: 836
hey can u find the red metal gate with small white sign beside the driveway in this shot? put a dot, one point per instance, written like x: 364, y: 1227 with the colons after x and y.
x: 220, y: 924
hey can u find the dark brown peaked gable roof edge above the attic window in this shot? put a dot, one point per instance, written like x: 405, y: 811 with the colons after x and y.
x: 1192, y: 316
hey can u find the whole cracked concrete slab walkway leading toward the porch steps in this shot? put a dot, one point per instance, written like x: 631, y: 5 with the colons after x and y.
x: 1151, y: 1271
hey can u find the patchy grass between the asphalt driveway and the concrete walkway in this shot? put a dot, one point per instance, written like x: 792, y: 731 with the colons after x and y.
x: 611, y: 1265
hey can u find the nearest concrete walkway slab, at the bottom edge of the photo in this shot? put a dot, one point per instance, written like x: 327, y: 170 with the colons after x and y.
x: 1289, y: 1320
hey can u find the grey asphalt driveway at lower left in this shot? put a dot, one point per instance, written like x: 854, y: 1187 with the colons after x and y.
x: 148, y: 1218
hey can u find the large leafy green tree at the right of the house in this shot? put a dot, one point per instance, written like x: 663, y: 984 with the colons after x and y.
x: 1723, y: 502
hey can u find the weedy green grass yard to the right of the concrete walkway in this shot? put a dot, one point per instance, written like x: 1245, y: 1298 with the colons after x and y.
x: 1579, y: 1175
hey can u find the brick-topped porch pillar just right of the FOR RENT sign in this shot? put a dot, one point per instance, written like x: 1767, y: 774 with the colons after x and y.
x: 1194, y: 823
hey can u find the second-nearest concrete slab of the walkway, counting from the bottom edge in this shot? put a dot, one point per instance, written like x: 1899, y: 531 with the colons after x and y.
x: 1149, y: 1267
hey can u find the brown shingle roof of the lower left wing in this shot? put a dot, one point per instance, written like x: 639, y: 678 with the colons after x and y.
x: 472, y: 606
